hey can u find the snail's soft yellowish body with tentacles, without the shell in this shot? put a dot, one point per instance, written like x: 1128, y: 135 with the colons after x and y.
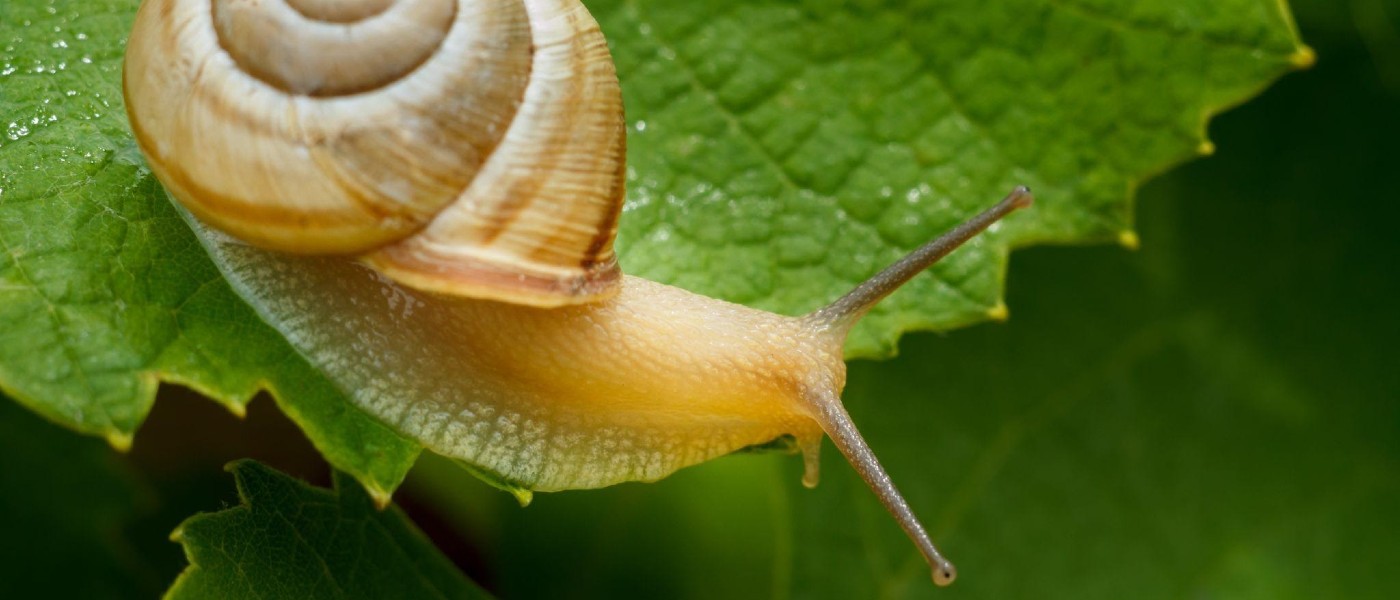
x: 631, y: 388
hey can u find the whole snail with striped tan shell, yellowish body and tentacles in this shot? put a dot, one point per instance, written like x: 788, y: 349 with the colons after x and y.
x: 422, y: 197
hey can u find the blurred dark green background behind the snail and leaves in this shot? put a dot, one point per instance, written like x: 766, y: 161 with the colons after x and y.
x: 1213, y: 416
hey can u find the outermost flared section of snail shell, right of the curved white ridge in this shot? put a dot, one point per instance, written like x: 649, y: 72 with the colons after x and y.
x: 548, y: 201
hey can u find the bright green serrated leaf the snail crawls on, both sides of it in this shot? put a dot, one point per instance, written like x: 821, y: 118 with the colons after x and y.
x: 780, y: 153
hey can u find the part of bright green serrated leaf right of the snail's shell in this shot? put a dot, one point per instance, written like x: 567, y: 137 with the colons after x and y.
x: 780, y: 153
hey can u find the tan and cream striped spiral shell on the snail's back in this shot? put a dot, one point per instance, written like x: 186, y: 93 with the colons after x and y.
x: 463, y: 148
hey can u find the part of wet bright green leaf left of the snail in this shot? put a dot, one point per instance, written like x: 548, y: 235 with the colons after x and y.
x: 104, y: 292
